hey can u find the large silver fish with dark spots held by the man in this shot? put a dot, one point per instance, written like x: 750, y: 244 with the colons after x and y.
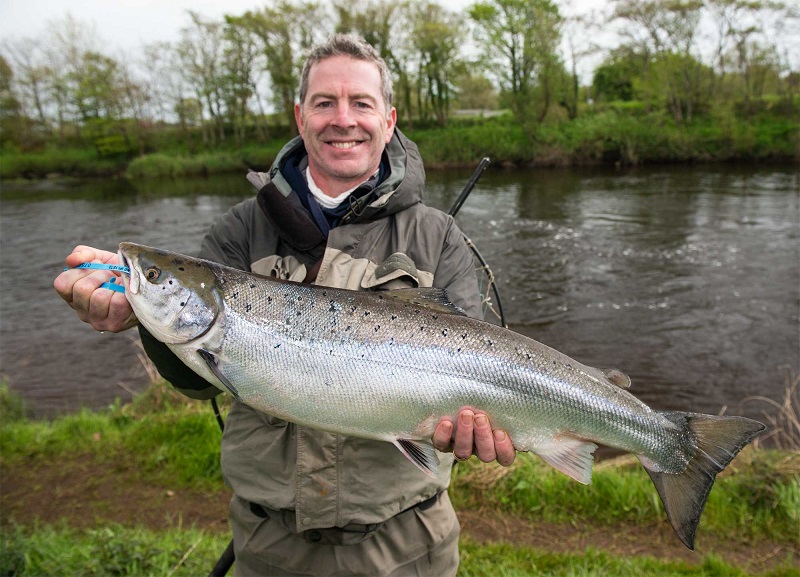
x: 390, y: 365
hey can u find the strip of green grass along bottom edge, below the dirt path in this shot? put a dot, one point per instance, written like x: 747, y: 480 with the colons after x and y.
x: 115, y: 550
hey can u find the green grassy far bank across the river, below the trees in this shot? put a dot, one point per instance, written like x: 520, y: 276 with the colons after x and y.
x: 619, y: 134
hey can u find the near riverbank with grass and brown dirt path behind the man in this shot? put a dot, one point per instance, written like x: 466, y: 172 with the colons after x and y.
x: 137, y: 490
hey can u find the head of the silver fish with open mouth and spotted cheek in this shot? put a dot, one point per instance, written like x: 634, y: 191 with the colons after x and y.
x: 175, y: 297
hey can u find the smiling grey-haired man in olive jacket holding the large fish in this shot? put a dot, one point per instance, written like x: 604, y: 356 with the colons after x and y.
x: 340, y: 207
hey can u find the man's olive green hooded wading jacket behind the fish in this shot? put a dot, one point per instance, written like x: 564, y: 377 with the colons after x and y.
x: 393, y: 241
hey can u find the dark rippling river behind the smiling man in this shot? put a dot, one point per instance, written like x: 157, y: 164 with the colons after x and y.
x: 686, y: 278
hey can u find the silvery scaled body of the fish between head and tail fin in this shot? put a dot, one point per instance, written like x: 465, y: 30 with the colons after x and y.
x: 438, y: 360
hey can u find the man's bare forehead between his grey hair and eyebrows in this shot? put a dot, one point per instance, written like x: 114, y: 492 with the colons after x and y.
x: 344, y: 75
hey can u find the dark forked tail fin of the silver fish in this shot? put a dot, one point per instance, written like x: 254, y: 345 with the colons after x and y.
x: 718, y: 440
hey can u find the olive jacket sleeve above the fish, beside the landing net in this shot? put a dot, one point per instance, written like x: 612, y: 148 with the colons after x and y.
x: 456, y: 272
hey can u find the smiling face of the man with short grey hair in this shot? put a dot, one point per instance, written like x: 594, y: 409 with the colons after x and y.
x: 343, y: 122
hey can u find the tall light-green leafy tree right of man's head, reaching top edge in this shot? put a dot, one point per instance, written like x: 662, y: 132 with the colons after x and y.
x: 519, y: 39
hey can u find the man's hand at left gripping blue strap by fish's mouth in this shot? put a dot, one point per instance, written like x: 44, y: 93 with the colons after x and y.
x: 104, y: 309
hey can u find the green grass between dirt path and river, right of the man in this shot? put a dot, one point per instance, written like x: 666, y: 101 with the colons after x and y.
x: 758, y: 498
